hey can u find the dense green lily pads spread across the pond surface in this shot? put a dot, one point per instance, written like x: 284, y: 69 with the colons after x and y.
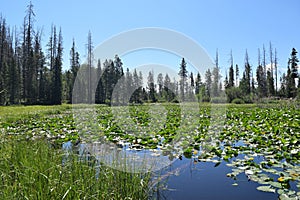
x: 260, y: 141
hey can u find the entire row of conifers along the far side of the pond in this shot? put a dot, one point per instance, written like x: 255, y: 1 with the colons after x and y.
x: 30, y: 75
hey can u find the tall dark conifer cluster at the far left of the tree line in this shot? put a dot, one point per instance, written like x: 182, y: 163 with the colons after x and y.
x: 28, y: 75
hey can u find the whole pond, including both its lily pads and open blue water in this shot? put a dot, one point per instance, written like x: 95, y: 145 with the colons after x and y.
x: 253, y: 153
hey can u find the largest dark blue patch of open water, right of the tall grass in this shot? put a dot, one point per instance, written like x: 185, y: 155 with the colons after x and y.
x: 202, y: 180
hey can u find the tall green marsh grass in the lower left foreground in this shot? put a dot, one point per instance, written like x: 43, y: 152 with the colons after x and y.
x: 34, y: 170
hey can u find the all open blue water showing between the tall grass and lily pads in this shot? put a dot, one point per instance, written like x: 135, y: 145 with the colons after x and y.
x: 191, y: 178
